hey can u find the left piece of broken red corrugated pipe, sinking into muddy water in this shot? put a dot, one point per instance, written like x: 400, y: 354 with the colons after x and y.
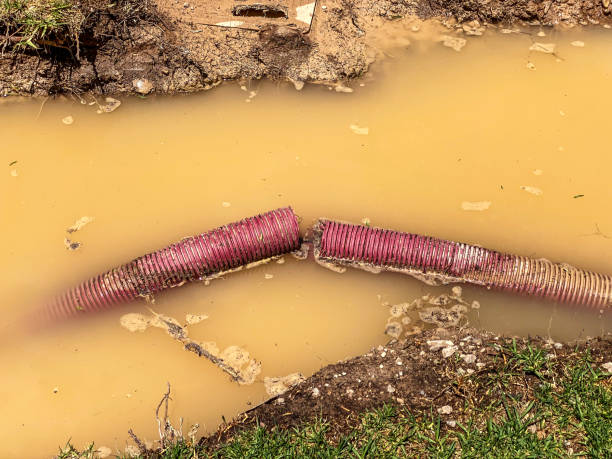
x: 194, y: 258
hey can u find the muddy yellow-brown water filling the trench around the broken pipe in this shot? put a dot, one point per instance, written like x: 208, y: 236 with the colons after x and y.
x: 471, y: 146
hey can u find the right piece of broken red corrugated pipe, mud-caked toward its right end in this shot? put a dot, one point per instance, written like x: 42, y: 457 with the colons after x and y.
x: 380, y: 249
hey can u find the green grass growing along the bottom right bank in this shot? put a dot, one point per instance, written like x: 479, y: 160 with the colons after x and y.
x: 564, y: 410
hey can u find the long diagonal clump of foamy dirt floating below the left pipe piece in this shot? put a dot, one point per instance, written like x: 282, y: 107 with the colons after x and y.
x: 233, y: 360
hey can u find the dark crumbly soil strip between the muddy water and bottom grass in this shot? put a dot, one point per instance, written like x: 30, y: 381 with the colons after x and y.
x: 435, y: 371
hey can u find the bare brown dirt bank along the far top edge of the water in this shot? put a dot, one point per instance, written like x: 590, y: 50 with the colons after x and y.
x: 163, y: 46
